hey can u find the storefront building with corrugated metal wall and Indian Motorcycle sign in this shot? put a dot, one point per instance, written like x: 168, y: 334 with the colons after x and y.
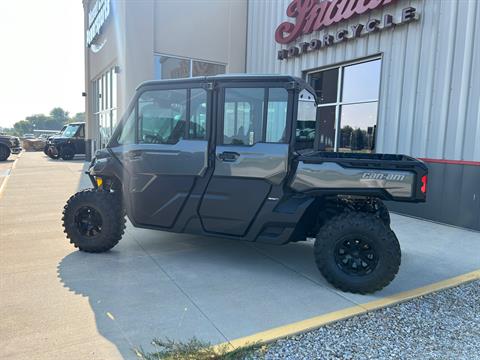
x: 391, y: 76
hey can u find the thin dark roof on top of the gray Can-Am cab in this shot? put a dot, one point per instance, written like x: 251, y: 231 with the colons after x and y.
x: 227, y: 78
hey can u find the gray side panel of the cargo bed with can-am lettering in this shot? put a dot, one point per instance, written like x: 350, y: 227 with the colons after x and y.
x: 330, y: 175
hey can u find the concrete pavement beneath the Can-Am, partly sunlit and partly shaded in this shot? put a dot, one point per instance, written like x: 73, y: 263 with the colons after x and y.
x: 58, y: 303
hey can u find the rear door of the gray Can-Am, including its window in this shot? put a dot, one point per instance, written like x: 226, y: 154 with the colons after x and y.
x: 251, y: 154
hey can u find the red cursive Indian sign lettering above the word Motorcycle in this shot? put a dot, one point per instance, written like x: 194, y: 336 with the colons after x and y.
x: 314, y: 15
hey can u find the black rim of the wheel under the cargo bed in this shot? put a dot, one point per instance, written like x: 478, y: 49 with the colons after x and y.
x: 356, y: 256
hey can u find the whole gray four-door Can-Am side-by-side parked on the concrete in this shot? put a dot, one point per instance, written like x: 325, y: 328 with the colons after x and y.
x: 238, y: 157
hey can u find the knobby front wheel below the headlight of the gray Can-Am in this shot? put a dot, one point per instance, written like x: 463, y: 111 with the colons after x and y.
x: 94, y: 221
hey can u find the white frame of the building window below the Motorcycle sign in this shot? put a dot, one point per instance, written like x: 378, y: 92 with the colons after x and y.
x: 339, y: 103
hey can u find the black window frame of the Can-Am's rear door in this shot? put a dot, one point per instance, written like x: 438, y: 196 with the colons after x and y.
x: 256, y: 85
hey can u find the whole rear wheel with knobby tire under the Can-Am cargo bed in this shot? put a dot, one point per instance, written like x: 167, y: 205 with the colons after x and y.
x: 357, y: 252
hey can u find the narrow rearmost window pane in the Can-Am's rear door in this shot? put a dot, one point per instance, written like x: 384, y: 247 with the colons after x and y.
x: 276, y: 115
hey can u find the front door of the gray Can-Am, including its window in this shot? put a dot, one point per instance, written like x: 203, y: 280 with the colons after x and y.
x: 168, y: 154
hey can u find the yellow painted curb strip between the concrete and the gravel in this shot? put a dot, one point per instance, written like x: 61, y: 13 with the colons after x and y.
x: 318, y: 321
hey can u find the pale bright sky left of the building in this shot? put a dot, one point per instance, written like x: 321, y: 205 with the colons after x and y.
x: 41, y: 58
